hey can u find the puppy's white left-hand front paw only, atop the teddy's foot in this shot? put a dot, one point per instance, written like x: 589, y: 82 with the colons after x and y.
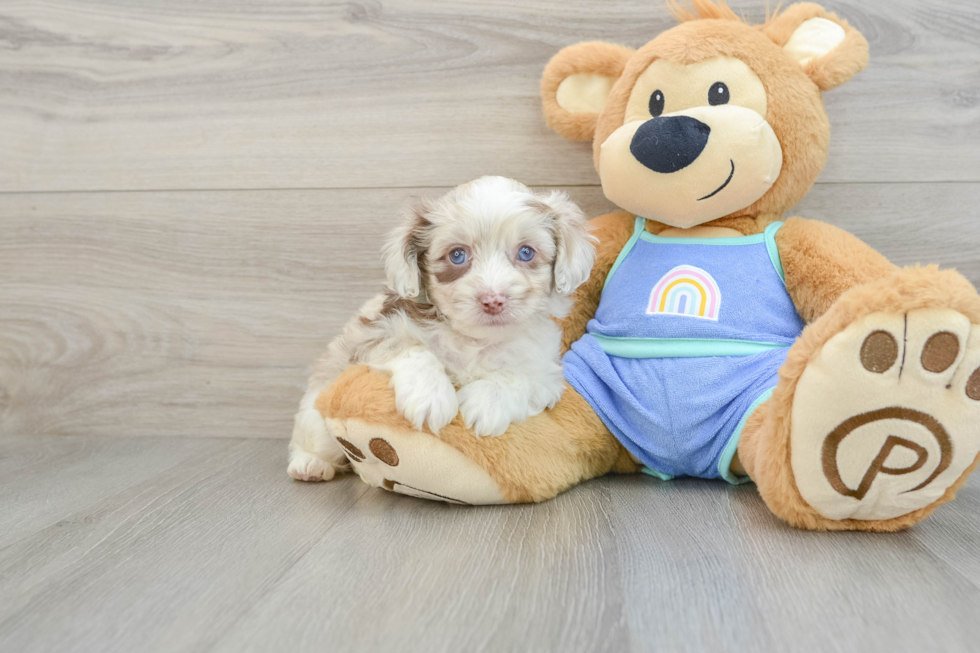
x: 425, y: 396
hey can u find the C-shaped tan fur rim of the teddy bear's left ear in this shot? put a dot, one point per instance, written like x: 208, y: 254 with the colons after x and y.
x: 597, y: 58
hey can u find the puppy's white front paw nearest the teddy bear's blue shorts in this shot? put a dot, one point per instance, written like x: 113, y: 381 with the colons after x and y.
x: 491, y: 404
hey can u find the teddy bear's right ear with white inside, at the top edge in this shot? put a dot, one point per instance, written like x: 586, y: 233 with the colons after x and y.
x: 829, y: 50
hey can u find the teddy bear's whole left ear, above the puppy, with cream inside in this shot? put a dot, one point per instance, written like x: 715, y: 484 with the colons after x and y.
x: 576, y: 83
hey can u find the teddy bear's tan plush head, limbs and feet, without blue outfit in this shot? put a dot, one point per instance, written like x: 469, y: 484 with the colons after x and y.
x: 869, y: 325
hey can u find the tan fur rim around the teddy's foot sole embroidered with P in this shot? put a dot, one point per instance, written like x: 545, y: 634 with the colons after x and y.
x: 764, y: 449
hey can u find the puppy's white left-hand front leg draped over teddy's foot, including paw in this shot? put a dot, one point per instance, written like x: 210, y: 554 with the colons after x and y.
x: 423, y: 392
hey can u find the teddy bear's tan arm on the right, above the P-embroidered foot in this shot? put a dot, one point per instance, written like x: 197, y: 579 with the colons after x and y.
x: 821, y: 262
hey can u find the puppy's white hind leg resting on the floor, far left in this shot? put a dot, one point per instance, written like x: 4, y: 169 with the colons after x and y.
x: 314, y: 454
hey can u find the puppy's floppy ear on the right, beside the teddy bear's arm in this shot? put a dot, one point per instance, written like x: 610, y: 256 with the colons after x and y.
x: 574, y: 245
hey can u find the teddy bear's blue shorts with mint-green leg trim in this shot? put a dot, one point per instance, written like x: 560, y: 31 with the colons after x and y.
x: 678, y: 416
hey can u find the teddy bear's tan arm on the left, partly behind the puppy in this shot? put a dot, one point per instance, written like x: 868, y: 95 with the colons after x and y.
x: 613, y: 231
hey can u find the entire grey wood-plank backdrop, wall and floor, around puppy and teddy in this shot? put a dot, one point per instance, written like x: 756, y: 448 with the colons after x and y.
x: 192, y: 196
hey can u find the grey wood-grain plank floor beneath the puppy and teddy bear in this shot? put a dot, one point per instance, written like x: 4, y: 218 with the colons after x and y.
x: 222, y: 552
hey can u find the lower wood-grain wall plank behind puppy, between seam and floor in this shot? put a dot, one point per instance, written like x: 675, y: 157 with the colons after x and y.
x: 197, y: 313
